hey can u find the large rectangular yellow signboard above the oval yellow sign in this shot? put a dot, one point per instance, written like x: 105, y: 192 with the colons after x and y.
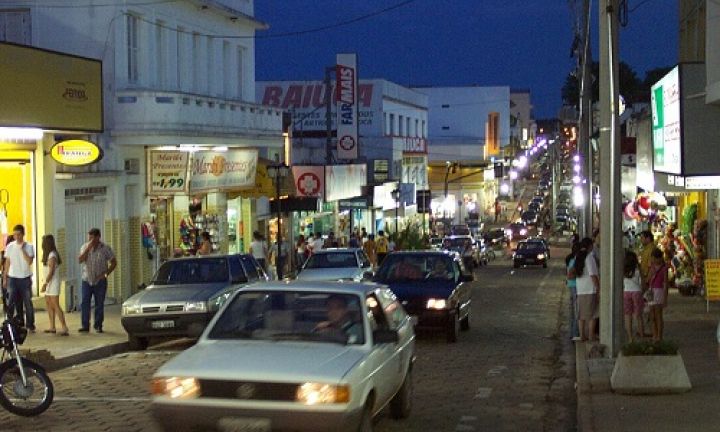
x: 49, y: 90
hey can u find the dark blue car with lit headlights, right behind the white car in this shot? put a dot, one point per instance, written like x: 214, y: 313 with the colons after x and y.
x: 431, y: 285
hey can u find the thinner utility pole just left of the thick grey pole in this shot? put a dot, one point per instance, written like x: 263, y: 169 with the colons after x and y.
x: 585, y: 122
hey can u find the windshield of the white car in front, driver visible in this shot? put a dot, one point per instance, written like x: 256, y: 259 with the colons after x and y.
x: 292, y: 316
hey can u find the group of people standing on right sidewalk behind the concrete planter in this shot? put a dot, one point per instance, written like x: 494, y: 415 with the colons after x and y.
x: 645, y: 289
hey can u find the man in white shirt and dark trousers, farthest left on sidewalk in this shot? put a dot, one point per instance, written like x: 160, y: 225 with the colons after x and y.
x: 17, y: 275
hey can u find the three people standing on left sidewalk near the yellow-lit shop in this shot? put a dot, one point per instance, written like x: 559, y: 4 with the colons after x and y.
x: 96, y: 258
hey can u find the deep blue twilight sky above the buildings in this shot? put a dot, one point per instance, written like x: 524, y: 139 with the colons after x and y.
x: 520, y: 43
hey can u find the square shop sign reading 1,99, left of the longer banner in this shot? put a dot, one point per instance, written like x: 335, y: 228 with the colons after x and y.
x: 167, y: 172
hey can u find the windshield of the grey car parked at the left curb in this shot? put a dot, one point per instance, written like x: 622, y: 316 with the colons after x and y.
x: 192, y: 271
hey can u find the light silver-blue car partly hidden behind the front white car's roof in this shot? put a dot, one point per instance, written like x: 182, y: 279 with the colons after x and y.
x: 335, y: 264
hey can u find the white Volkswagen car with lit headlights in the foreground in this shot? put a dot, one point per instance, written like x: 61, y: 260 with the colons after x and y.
x: 301, y: 356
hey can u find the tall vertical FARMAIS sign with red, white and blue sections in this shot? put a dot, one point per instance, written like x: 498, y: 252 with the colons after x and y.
x: 347, y: 106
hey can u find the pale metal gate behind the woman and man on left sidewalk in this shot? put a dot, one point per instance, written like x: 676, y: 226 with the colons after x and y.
x: 81, y: 214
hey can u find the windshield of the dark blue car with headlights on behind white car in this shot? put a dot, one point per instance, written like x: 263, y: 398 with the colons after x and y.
x: 415, y: 267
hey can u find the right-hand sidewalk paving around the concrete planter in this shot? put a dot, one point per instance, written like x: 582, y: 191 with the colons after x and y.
x: 686, y: 323
